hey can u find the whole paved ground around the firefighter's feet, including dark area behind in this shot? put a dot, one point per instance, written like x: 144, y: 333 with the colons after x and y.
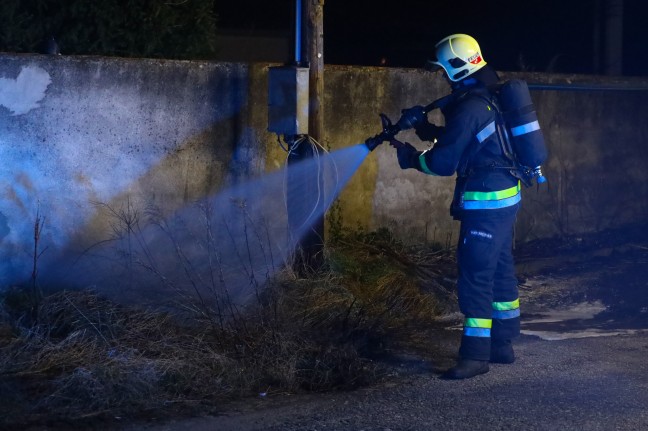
x: 580, y: 359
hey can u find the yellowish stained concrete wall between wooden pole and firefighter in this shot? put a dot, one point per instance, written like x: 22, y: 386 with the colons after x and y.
x: 412, y: 205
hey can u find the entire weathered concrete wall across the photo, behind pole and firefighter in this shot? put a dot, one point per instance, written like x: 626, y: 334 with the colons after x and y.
x: 80, y: 135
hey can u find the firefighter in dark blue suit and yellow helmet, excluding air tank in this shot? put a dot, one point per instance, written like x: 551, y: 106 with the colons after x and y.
x: 486, y: 200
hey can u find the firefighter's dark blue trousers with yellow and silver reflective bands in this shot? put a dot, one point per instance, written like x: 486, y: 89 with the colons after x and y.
x: 488, y: 293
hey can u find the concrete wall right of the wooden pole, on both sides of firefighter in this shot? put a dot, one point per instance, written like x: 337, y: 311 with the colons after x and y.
x: 597, y: 176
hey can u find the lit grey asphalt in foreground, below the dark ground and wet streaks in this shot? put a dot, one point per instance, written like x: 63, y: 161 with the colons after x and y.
x: 596, y: 383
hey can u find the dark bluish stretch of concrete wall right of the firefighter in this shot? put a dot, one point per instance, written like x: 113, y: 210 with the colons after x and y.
x: 597, y: 167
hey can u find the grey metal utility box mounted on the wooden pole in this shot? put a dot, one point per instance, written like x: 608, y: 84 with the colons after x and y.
x: 288, y: 100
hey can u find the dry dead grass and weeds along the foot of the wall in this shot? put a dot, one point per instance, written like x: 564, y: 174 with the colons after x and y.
x: 77, y: 356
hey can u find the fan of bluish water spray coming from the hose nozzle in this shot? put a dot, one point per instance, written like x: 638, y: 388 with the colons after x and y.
x: 232, y: 242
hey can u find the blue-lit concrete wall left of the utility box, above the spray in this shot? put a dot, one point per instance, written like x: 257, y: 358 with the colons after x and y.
x: 81, y: 135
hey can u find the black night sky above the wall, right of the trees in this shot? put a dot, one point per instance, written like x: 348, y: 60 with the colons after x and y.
x: 533, y: 35
